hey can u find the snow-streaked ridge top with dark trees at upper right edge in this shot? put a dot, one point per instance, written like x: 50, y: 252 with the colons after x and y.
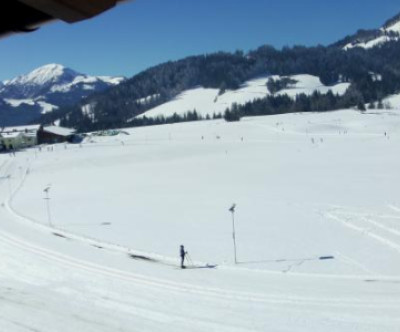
x: 367, y: 39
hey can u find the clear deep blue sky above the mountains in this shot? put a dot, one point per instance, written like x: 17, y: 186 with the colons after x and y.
x: 144, y: 33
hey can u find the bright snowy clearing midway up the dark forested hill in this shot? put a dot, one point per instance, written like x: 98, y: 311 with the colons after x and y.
x: 208, y: 101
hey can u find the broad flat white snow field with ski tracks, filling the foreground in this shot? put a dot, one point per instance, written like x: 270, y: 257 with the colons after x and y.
x: 307, y: 187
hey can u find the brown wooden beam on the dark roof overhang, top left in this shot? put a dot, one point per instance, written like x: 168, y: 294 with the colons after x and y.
x: 71, y: 10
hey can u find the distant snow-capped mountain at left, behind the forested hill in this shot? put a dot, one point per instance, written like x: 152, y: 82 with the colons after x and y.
x: 45, y: 89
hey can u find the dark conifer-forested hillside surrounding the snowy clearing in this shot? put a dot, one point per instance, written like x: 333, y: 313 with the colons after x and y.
x: 373, y: 73
